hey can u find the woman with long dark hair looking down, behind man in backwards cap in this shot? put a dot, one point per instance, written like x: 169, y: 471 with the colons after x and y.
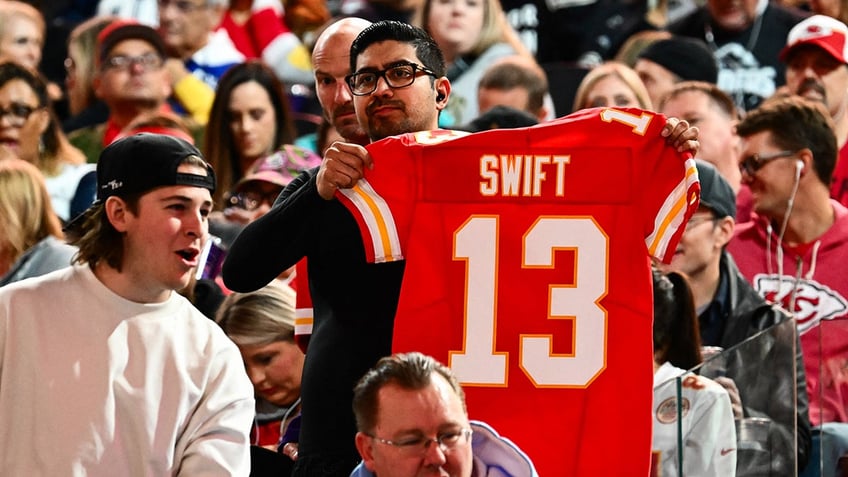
x: 250, y: 119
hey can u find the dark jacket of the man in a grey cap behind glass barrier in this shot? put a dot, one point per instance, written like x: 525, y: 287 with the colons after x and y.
x: 758, y: 339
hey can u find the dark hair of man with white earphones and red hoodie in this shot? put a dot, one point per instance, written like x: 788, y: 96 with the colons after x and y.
x: 796, y: 123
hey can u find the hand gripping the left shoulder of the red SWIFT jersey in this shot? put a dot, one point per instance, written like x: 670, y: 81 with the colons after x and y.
x: 344, y: 164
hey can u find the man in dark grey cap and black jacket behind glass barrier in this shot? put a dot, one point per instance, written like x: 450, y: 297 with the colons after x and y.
x: 729, y: 312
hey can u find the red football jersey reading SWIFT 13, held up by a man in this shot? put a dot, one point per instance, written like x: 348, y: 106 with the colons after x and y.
x: 527, y: 272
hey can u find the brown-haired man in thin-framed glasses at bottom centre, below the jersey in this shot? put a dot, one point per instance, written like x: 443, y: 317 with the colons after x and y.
x: 411, y: 415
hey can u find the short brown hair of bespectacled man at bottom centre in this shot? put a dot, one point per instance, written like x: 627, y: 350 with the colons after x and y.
x: 412, y: 371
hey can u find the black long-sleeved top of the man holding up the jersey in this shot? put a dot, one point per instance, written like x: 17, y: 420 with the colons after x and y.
x: 354, y: 304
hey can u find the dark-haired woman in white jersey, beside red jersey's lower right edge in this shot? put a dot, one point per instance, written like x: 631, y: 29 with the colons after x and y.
x: 707, y: 431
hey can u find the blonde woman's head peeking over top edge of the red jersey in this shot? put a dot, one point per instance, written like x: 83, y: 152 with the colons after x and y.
x: 612, y: 84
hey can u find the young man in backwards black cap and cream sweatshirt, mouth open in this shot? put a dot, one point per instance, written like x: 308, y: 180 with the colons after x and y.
x: 104, y: 368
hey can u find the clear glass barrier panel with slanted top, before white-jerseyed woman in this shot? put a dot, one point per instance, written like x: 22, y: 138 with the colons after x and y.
x: 761, y: 372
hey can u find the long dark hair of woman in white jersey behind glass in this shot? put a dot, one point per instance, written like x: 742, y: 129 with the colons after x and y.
x: 676, y: 336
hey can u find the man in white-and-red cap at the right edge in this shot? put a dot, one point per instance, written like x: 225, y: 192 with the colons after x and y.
x: 816, y: 54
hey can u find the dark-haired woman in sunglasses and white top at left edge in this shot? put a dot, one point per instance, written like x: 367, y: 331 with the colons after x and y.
x: 29, y: 129
